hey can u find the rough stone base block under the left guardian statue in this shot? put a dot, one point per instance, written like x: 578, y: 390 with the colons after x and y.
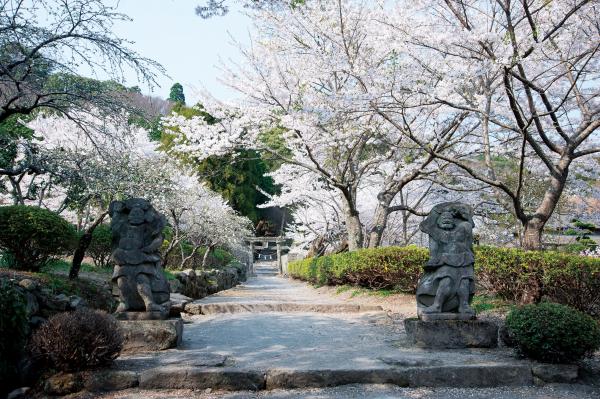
x: 151, y: 335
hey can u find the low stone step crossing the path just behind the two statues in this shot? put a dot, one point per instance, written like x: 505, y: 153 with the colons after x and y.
x: 285, y: 307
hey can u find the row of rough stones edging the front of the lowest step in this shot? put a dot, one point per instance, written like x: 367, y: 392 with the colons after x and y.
x: 232, y: 379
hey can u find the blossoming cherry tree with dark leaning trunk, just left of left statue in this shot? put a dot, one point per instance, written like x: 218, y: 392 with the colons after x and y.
x: 86, y: 170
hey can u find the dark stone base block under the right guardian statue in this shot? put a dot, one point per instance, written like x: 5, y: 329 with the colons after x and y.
x: 452, y: 333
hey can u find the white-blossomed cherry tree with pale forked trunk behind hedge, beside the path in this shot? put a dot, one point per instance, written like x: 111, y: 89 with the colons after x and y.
x: 310, y: 77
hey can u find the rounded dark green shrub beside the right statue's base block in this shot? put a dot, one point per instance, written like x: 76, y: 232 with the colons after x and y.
x: 553, y: 333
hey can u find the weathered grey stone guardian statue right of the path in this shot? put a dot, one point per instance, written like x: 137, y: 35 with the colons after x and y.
x: 447, y: 286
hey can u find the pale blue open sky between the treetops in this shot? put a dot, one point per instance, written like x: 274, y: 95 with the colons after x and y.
x: 189, y: 47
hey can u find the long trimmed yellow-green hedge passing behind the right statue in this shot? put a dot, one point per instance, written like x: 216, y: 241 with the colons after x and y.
x: 509, y: 273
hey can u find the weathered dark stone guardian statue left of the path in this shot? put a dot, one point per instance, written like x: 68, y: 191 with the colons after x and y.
x: 137, y: 238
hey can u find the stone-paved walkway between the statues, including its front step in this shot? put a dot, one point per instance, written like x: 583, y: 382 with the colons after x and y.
x: 272, y: 332
